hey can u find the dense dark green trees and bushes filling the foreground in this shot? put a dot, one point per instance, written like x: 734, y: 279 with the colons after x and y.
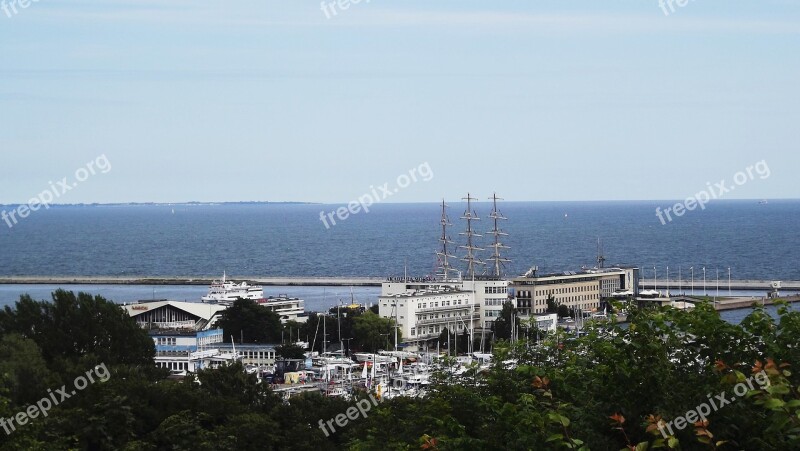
x: 605, y: 391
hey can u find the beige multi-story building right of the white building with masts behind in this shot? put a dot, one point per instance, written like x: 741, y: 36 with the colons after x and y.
x: 583, y: 290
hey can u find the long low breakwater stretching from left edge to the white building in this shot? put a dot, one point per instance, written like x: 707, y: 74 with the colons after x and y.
x: 143, y: 280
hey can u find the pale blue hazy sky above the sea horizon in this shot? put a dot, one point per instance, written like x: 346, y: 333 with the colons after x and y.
x: 293, y: 100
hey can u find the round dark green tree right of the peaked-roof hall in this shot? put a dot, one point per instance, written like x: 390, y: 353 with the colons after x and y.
x: 246, y: 320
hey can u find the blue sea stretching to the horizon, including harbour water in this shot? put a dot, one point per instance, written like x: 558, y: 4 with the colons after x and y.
x: 756, y: 240
